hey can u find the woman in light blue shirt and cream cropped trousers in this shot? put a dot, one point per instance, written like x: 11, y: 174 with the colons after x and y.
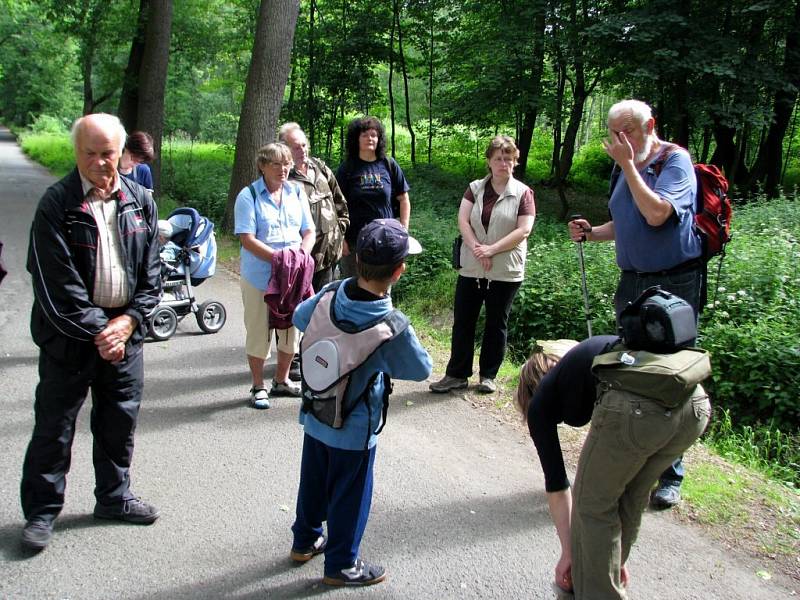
x: 270, y: 214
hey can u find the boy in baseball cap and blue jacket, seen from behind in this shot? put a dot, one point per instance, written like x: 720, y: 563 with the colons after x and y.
x: 336, y: 468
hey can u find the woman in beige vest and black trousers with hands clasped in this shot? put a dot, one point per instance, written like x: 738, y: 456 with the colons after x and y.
x: 495, y: 218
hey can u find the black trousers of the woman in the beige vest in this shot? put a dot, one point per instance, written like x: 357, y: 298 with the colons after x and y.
x: 471, y: 294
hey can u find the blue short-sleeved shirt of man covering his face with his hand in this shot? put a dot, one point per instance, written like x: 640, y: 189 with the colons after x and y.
x: 647, y: 249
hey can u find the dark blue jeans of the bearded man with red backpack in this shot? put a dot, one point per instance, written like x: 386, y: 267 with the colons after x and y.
x: 687, y: 285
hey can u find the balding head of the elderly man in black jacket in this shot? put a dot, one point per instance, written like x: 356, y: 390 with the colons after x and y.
x: 98, y: 141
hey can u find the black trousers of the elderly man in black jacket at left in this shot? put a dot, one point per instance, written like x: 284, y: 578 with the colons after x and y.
x: 62, y: 389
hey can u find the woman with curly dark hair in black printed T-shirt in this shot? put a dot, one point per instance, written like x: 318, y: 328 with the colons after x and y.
x: 373, y: 184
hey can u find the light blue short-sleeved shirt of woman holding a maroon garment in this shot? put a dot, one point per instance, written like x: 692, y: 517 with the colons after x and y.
x: 277, y: 226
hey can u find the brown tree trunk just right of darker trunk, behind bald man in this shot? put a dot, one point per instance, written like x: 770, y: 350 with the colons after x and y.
x: 153, y: 79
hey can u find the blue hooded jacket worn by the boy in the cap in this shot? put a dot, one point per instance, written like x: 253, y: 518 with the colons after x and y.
x: 401, y: 358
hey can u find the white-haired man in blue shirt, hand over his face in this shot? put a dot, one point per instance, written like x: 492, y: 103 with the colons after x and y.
x: 652, y: 207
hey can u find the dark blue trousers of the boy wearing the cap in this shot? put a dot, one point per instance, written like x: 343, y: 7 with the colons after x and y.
x: 335, y: 486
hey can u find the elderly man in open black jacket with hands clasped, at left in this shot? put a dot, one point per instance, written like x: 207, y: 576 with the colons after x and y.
x: 93, y: 258
